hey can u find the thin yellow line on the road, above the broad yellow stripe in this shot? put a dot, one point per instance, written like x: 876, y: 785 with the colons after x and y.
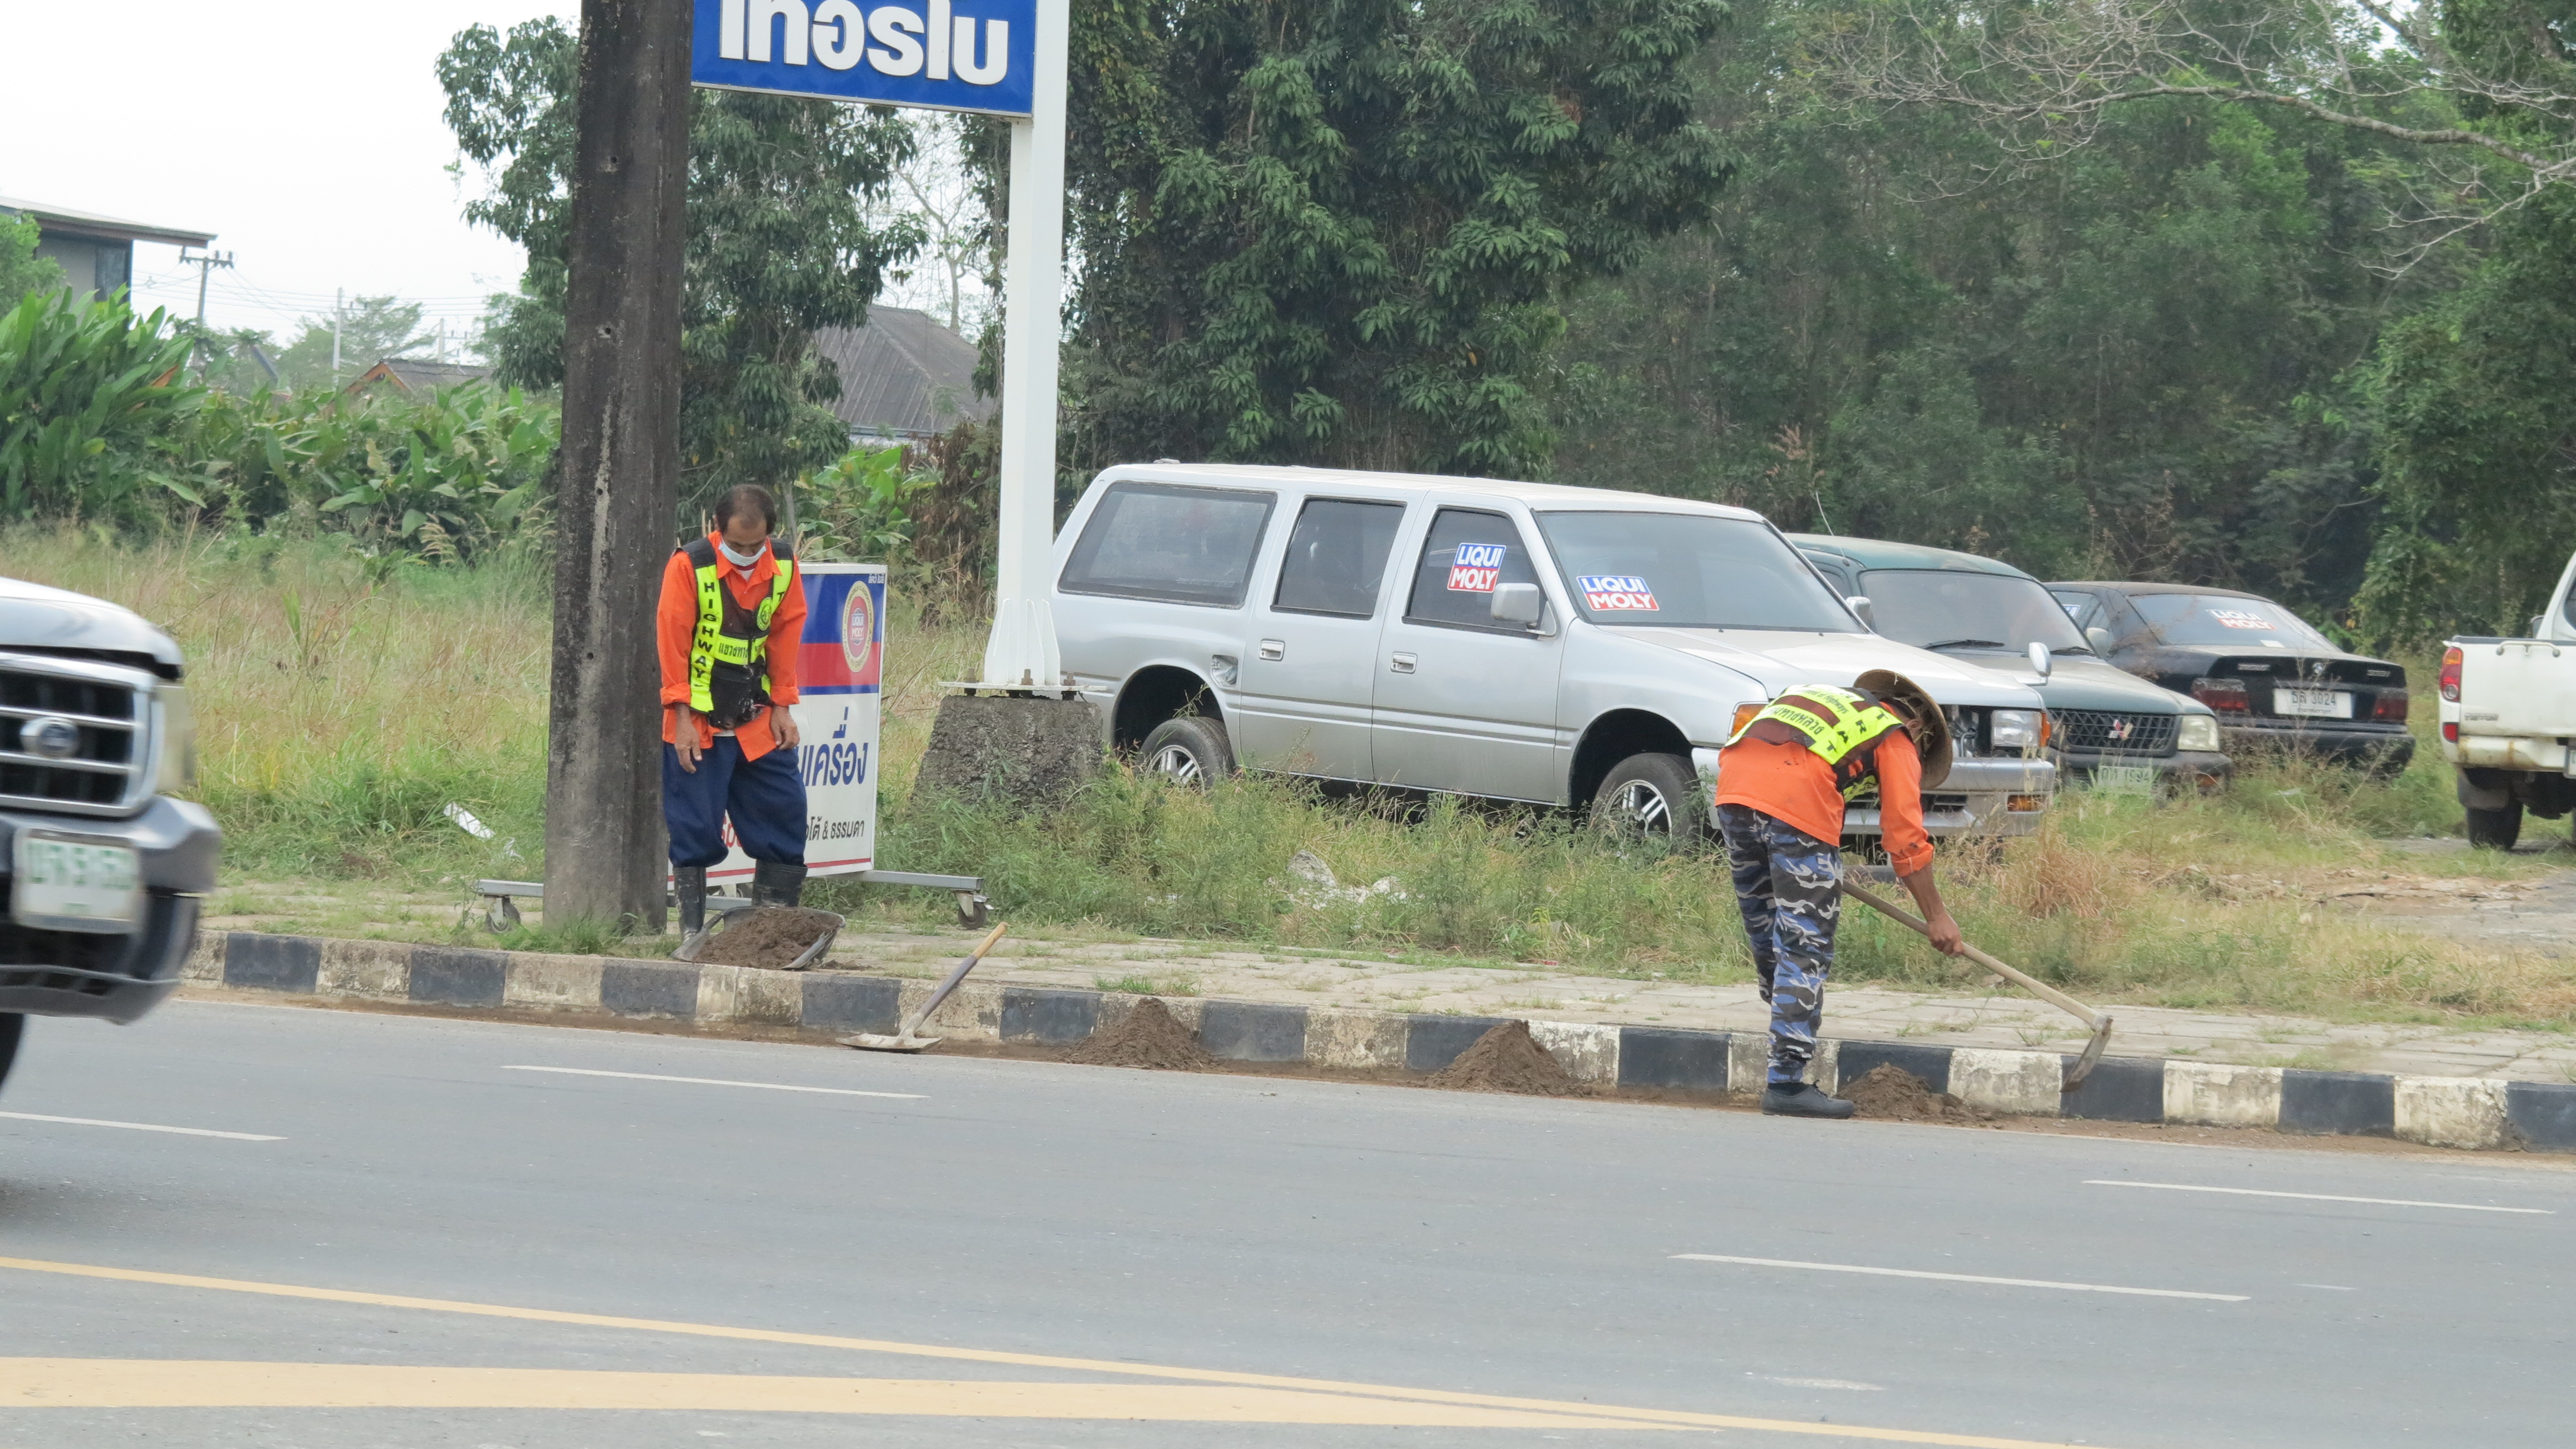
x: 1634, y: 1417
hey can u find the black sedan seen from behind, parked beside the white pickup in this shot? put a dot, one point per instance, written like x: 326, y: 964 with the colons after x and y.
x: 2266, y: 672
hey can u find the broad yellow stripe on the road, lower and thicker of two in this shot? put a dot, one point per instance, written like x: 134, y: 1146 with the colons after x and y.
x: 158, y: 1383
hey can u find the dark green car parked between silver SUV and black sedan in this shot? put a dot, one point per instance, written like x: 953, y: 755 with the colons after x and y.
x: 2103, y: 723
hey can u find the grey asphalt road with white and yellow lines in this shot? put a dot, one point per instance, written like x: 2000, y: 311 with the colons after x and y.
x: 1037, y: 1254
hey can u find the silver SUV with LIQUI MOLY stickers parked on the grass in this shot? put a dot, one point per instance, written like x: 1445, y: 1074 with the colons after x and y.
x: 1508, y: 641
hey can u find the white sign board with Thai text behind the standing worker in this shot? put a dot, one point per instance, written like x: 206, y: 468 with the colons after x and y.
x: 841, y: 666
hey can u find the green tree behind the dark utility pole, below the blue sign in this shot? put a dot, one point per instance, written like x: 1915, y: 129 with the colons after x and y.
x: 779, y: 246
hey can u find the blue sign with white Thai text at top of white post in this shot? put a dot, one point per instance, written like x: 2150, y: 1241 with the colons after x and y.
x: 947, y: 55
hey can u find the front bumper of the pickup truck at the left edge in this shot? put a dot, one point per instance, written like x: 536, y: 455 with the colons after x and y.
x: 112, y: 976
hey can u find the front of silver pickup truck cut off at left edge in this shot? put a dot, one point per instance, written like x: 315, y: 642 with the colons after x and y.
x: 102, y: 865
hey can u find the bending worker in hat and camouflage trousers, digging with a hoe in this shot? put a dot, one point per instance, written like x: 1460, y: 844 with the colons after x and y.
x: 1781, y: 790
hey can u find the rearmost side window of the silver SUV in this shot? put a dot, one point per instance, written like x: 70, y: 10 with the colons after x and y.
x: 1171, y: 543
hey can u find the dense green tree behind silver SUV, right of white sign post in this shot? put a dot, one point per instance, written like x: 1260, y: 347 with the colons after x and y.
x: 1341, y: 231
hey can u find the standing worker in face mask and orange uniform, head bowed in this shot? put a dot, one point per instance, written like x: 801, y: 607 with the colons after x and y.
x: 728, y: 625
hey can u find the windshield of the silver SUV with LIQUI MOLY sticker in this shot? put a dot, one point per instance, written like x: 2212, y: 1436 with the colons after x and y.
x: 1689, y: 571
